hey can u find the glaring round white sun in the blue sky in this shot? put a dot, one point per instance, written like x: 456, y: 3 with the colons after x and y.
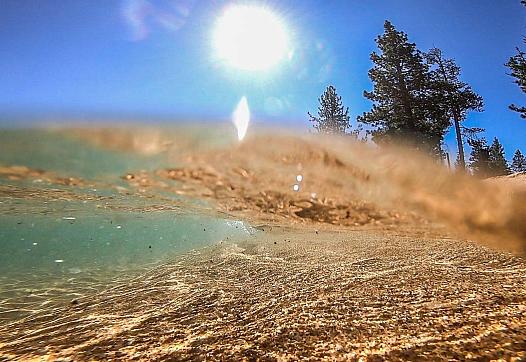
x: 250, y: 38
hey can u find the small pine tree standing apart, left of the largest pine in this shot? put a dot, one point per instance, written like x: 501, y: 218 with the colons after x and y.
x: 332, y: 117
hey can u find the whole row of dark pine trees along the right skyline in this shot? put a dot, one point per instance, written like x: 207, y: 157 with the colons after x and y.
x: 416, y: 98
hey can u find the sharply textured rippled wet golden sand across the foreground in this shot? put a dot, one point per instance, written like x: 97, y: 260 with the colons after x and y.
x: 291, y: 294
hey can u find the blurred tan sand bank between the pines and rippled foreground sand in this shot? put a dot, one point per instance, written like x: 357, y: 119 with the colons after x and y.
x: 343, y: 183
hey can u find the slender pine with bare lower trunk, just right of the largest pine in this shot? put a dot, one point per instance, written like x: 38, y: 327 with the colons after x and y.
x: 455, y: 97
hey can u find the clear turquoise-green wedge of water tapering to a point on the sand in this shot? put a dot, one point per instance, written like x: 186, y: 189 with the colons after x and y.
x: 81, y: 239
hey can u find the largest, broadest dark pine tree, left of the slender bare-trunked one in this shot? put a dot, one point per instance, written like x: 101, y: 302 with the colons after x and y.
x: 403, y: 110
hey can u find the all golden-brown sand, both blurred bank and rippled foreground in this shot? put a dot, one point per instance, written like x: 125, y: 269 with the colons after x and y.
x: 369, y: 259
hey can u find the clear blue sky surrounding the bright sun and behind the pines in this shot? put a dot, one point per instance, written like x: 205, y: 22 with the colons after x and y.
x: 148, y: 59
